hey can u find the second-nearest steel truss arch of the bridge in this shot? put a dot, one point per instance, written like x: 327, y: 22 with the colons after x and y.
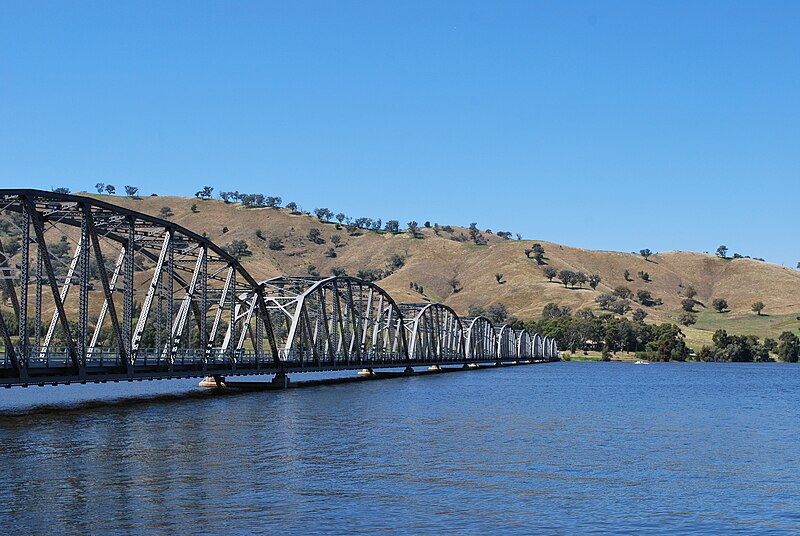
x: 334, y: 321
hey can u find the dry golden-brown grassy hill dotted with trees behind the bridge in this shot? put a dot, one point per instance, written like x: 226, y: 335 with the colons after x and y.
x: 433, y: 260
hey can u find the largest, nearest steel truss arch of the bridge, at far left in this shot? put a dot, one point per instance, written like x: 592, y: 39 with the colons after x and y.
x: 148, y: 292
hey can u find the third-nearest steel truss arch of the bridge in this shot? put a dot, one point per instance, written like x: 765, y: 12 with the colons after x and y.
x: 435, y: 332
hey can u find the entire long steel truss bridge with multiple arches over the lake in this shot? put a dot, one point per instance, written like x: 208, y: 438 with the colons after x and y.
x: 94, y: 292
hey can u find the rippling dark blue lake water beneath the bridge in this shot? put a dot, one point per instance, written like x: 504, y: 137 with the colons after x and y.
x: 556, y: 448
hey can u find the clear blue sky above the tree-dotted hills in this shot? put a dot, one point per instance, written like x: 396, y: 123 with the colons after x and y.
x: 607, y: 125
